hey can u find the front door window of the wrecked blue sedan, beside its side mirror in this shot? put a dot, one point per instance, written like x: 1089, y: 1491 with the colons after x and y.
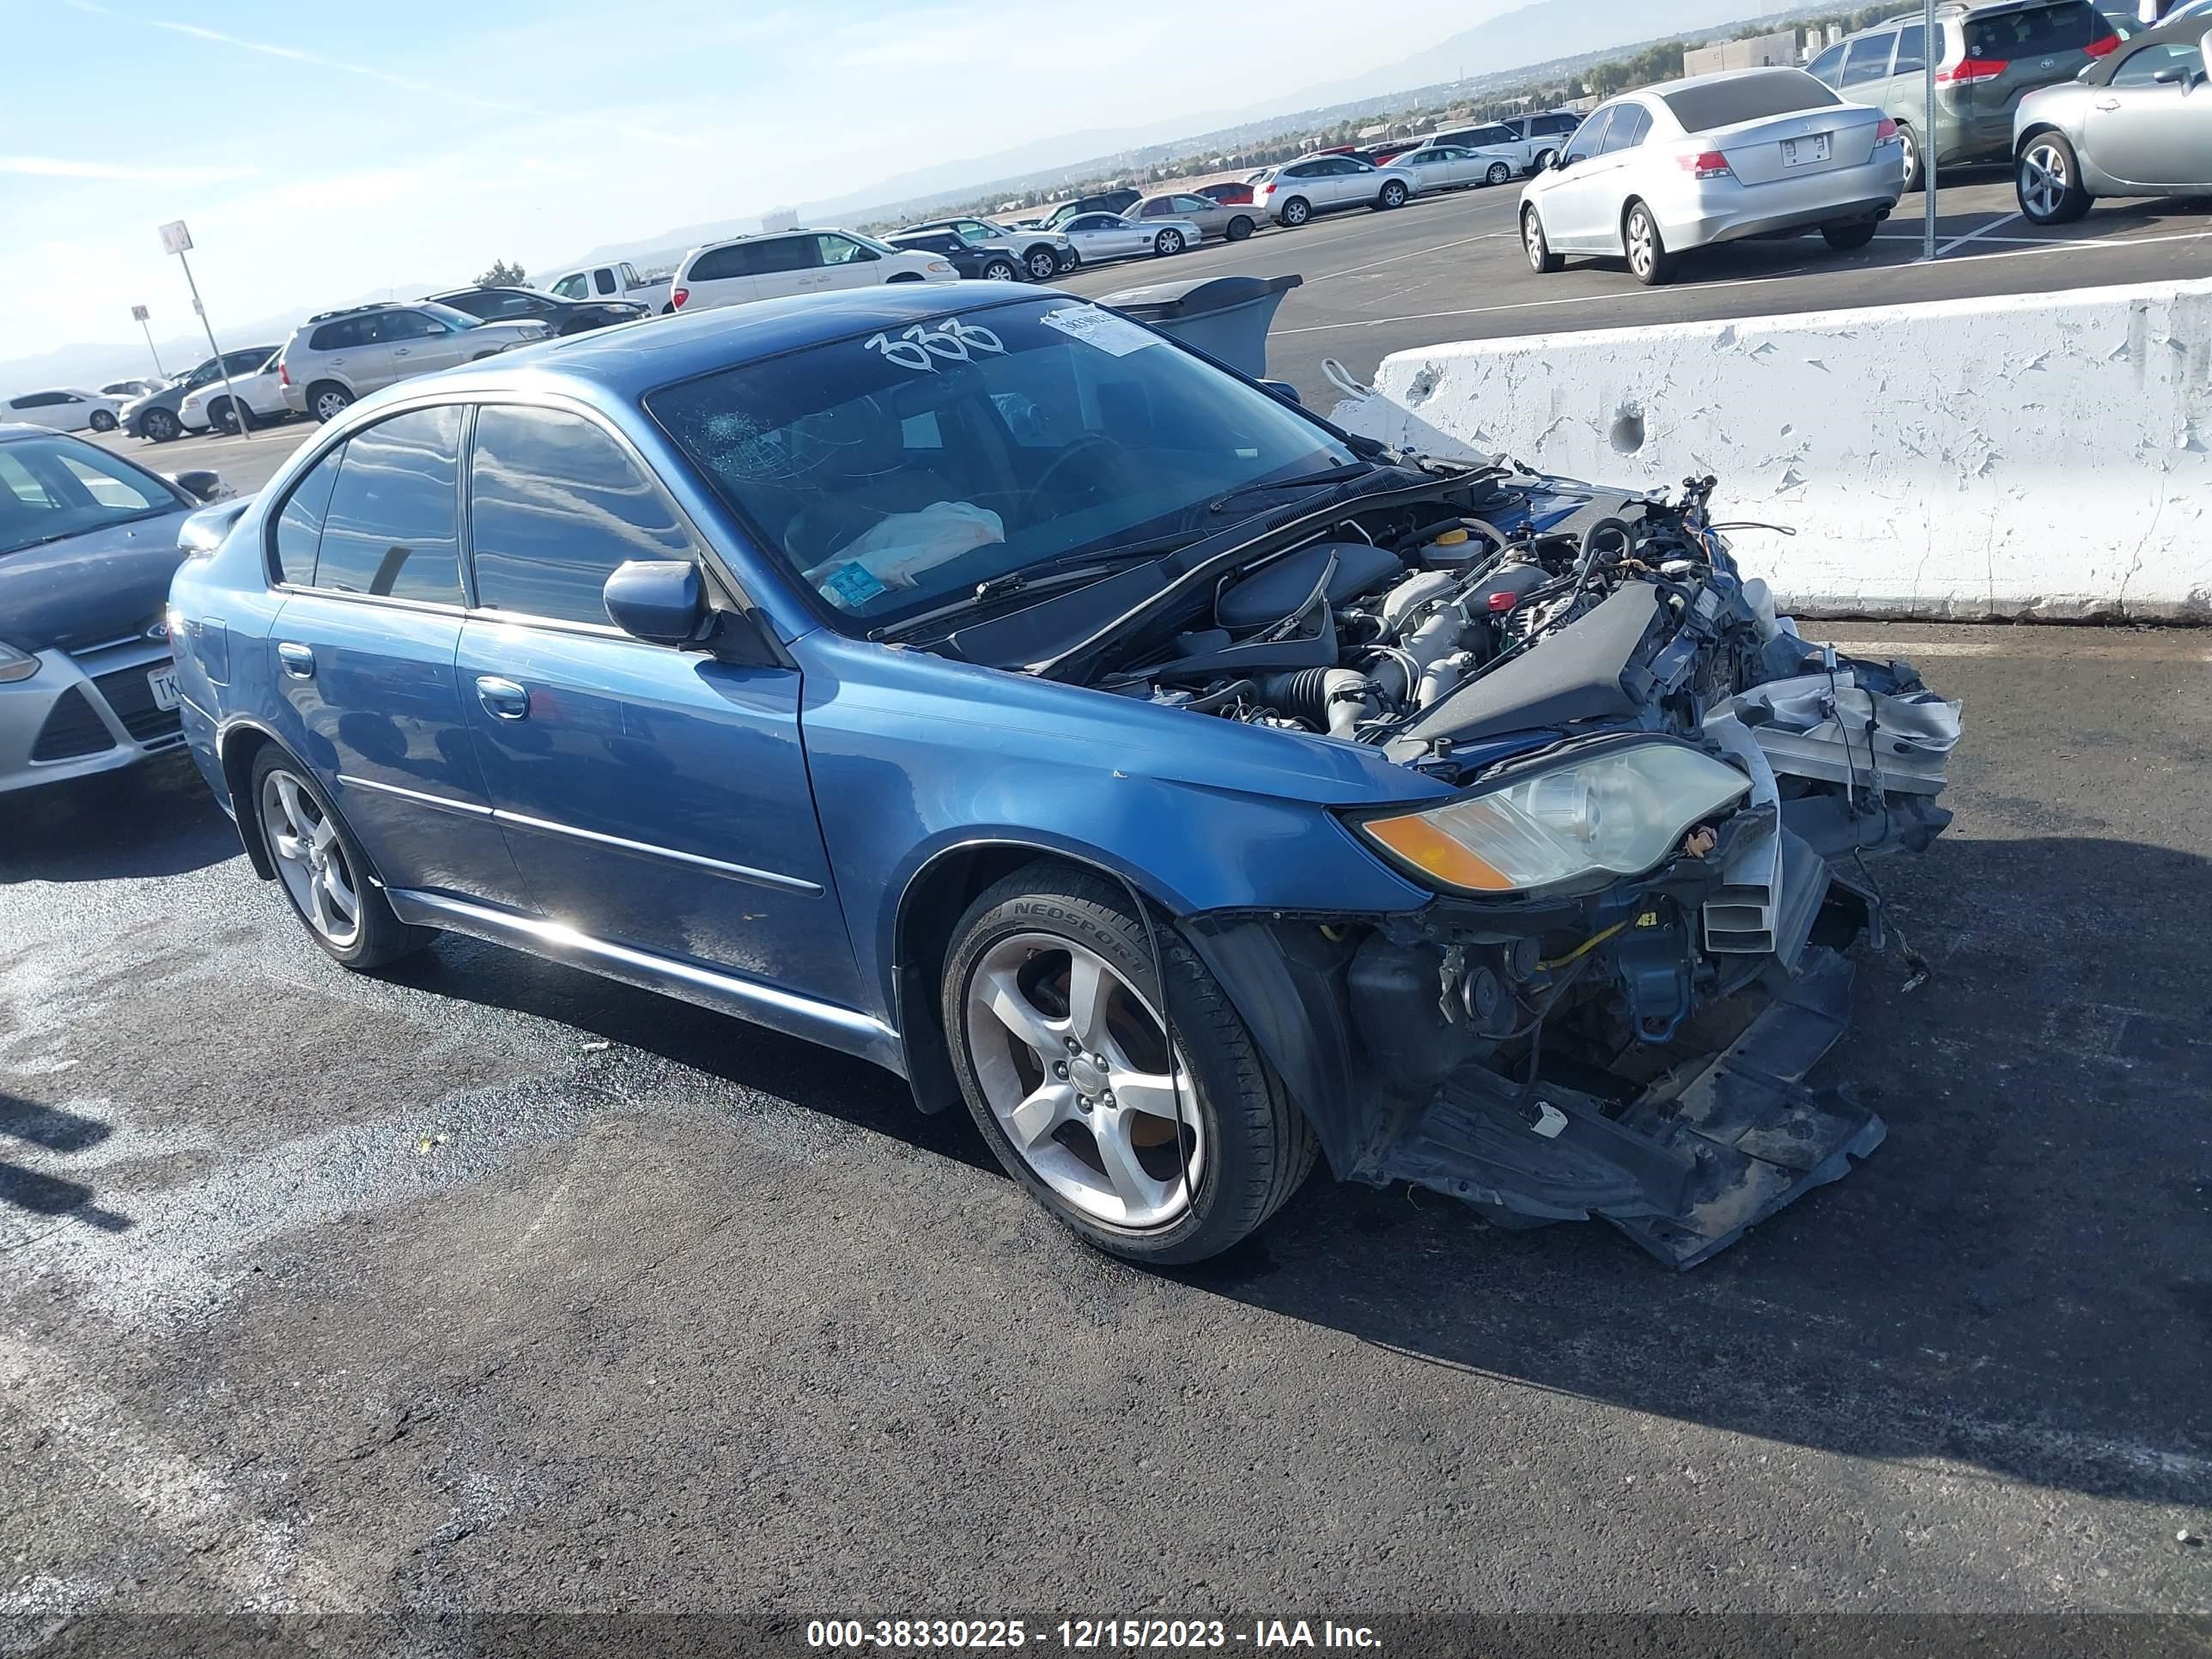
x: 554, y: 508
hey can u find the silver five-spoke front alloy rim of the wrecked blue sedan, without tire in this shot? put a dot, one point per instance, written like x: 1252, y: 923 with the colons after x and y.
x: 1074, y: 1065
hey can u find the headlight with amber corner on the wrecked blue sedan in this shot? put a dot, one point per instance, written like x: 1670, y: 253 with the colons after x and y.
x: 1614, y: 813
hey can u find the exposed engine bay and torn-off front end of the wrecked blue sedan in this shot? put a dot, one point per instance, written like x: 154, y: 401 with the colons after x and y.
x: 1616, y: 1014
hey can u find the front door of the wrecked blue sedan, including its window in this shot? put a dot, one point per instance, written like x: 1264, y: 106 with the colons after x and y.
x: 654, y: 797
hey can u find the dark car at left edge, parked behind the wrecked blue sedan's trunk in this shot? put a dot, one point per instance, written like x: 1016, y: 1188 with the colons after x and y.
x: 87, y: 547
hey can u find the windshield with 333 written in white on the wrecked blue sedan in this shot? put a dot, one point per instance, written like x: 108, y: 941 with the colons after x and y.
x: 899, y: 472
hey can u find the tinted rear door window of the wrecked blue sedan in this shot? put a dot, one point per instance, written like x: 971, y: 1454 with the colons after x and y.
x: 390, y: 528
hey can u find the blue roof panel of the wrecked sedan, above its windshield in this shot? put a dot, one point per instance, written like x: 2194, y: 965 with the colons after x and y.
x: 632, y: 359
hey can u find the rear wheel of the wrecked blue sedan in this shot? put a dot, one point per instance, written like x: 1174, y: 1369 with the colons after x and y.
x: 322, y: 868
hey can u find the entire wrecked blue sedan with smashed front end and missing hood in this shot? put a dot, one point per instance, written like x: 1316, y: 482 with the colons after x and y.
x: 1001, y: 691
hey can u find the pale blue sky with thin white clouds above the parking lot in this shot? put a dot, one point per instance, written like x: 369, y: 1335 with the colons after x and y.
x: 324, y: 152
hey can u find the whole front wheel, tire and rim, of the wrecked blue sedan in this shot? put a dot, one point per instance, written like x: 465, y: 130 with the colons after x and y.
x: 1109, y: 1171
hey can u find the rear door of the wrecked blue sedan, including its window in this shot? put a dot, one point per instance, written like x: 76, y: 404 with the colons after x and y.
x: 368, y: 552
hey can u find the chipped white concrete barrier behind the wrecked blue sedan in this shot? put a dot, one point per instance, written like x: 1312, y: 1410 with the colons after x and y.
x: 2018, y: 457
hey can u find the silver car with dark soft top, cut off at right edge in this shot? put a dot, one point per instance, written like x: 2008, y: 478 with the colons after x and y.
x: 2136, y: 125
